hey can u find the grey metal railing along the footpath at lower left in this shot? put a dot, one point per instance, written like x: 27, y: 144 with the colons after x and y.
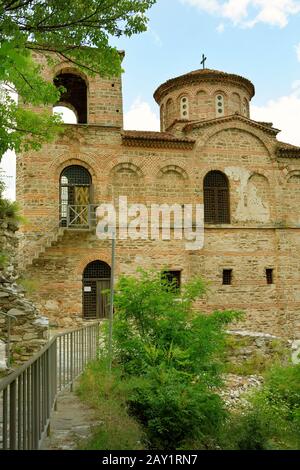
x: 28, y: 396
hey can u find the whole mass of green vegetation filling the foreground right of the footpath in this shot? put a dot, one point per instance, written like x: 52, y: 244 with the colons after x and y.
x: 167, y: 366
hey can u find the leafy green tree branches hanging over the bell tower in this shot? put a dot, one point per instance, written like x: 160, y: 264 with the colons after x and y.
x: 78, y: 32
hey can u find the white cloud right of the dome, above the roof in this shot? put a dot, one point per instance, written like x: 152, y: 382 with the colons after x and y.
x: 284, y: 113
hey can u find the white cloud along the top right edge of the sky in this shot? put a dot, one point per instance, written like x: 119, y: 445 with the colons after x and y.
x: 248, y: 13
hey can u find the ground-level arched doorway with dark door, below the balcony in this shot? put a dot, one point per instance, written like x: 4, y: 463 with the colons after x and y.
x: 96, y: 280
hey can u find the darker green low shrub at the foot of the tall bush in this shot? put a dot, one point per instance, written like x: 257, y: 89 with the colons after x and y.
x: 175, y: 412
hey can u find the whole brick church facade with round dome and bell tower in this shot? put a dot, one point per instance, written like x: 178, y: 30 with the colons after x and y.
x: 209, y: 151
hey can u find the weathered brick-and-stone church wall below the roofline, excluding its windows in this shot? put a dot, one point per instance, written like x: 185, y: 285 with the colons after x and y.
x: 263, y: 233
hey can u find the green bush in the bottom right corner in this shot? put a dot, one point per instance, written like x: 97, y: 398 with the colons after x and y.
x: 273, y: 419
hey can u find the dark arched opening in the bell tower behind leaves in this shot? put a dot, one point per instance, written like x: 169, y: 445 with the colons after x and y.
x: 75, y: 95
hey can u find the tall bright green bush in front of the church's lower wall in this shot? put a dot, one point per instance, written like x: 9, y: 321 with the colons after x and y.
x: 171, y: 357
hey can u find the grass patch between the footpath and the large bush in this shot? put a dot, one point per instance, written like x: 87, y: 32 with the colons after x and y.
x: 105, y: 393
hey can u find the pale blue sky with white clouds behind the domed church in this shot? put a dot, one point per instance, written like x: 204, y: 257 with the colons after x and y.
x: 258, y: 39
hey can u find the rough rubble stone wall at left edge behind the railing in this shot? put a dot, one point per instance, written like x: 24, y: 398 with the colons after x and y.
x: 29, y: 330
